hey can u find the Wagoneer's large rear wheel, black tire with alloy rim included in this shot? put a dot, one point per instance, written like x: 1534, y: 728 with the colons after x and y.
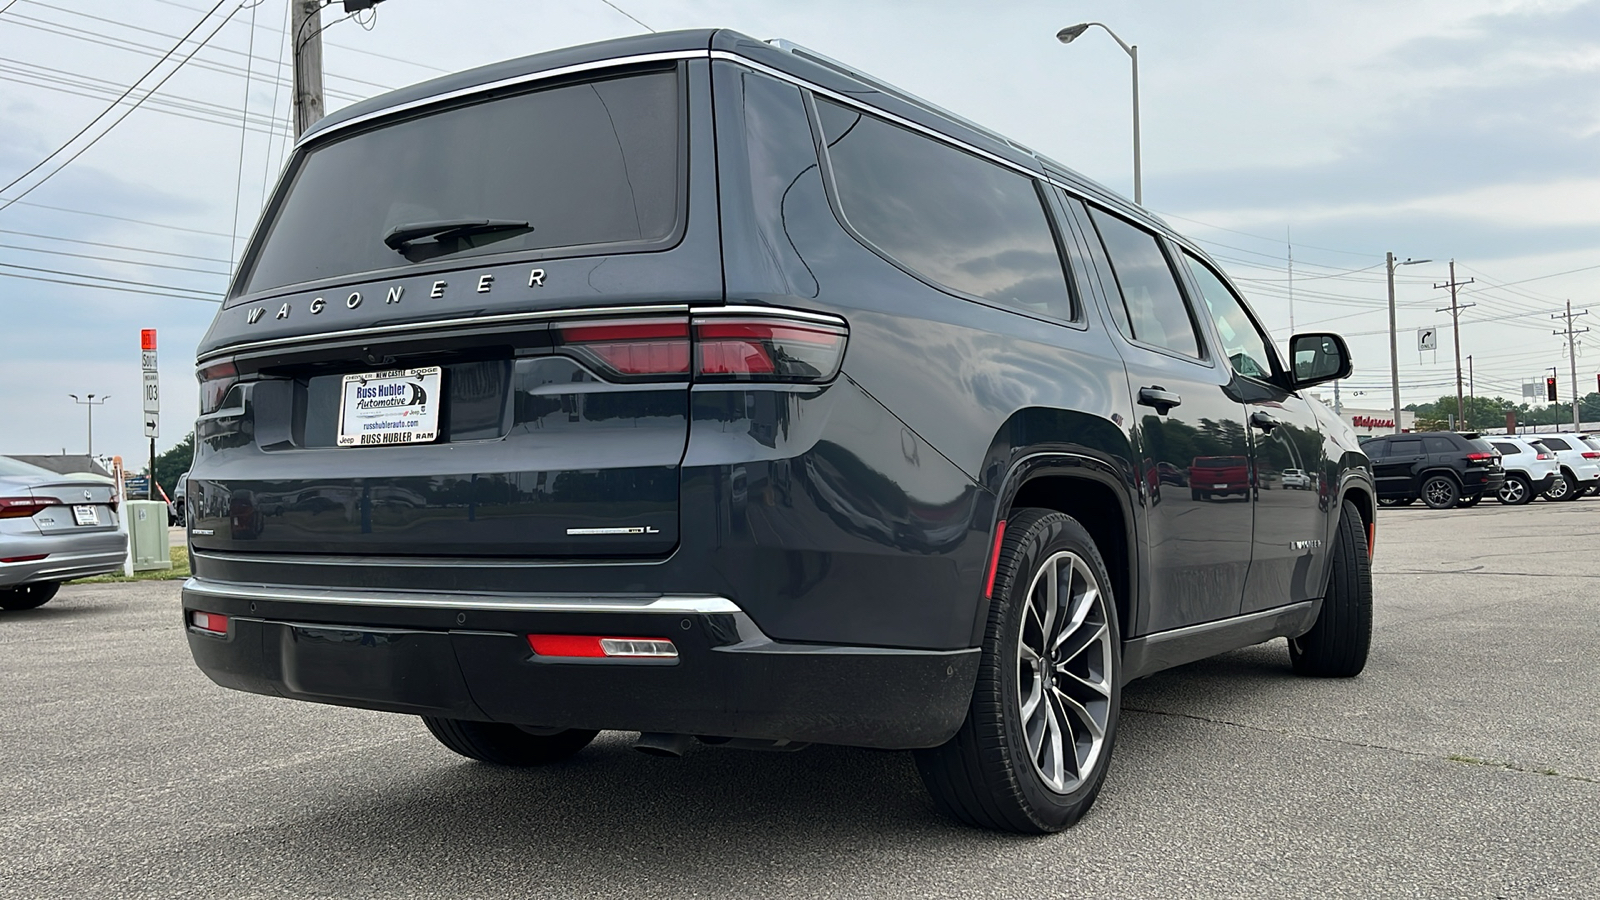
x: 1001, y: 771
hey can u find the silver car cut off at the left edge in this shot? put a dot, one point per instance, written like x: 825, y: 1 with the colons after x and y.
x: 54, y: 529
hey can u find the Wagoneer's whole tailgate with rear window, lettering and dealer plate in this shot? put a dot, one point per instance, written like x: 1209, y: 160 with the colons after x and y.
x: 490, y: 303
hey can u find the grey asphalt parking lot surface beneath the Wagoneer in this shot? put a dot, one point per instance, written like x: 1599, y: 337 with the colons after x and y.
x: 1465, y: 763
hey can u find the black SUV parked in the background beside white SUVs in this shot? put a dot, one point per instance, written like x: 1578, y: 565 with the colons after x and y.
x: 1442, y: 468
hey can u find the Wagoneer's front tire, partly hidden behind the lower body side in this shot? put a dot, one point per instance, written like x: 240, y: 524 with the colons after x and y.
x: 1338, y: 645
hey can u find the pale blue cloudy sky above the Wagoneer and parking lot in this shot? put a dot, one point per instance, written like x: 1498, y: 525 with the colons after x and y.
x: 1295, y: 142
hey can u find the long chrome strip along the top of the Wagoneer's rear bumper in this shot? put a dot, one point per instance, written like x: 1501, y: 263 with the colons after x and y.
x: 519, y: 603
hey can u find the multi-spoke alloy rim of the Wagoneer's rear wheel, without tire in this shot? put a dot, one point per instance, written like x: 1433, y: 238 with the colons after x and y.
x: 1065, y: 672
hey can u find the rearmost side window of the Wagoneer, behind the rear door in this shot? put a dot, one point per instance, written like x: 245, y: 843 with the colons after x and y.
x: 946, y: 215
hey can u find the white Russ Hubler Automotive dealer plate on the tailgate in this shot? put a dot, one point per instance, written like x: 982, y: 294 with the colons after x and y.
x: 390, y: 408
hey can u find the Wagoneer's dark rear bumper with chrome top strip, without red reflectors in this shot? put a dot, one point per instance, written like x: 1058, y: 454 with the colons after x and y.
x: 468, y: 657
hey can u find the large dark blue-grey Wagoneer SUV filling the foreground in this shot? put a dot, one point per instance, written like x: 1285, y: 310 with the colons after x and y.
x: 702, y: 388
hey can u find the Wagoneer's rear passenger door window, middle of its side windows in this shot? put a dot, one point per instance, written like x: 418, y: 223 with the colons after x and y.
x: 1156, y: 310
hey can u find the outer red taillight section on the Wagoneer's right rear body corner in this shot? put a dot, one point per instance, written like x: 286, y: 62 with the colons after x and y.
x: 767, y: 350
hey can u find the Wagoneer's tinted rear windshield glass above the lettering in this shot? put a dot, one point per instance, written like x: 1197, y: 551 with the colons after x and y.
x: 574, y: 166
